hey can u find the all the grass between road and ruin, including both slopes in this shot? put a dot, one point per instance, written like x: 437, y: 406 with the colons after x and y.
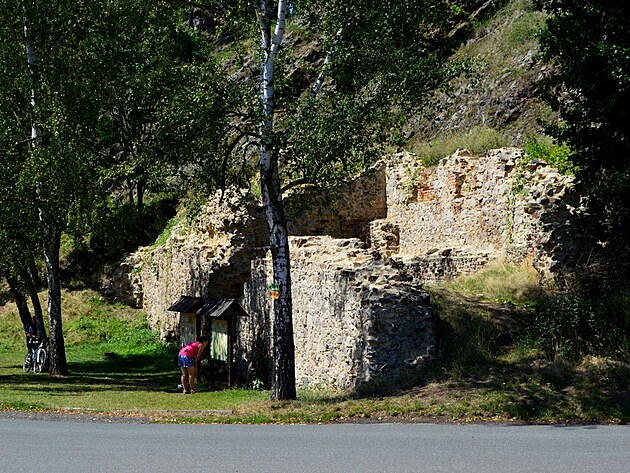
x: 471, y: 381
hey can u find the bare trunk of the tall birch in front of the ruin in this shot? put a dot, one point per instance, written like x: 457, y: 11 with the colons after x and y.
x: 283, y: 382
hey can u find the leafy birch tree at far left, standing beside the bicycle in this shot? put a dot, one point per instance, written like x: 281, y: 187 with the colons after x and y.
x: 52, y: 83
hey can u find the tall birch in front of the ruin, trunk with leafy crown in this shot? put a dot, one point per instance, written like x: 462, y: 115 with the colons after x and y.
x: 375, y: 63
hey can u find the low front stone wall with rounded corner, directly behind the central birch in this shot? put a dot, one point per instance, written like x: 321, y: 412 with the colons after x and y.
x: 355, y: 320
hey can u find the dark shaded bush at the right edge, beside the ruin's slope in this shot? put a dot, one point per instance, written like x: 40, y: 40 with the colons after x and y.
x: 587, y: 315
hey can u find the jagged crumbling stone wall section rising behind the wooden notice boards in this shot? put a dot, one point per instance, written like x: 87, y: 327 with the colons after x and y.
x: 208, y: 256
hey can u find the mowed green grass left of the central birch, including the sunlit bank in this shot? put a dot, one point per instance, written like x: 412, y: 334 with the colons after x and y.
x: 115, y: 362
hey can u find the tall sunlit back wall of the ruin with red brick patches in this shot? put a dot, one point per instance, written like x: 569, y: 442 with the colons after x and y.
x: 498, y: 205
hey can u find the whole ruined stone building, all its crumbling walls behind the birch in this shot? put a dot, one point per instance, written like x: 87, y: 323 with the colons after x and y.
x: 358, y: 264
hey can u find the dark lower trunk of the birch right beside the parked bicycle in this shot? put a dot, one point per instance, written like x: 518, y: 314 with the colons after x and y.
x: 52, y: 243
